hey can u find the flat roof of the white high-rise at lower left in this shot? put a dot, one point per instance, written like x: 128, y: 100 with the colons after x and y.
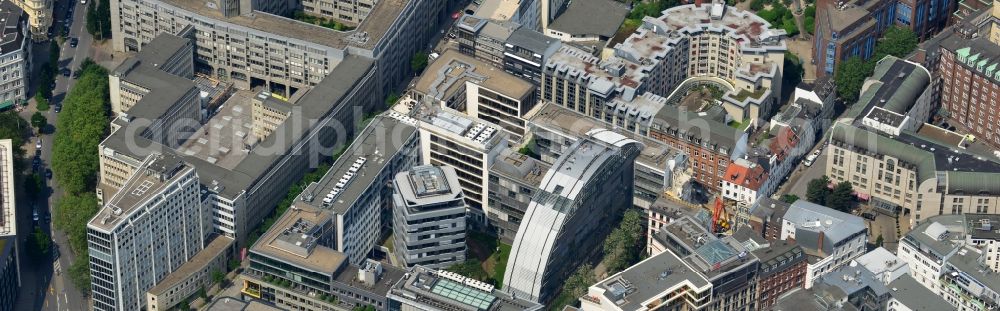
x: 152, y: 178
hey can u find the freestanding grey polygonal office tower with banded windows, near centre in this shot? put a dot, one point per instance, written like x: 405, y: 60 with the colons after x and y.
x: 428, y: 214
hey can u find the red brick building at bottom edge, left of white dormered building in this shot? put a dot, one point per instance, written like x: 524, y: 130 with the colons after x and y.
x: 782, y: 268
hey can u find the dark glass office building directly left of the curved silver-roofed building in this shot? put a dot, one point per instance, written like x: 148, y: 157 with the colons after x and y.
x: 514, y: 179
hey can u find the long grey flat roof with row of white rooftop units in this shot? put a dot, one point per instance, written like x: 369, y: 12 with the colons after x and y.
x: 359, y: 165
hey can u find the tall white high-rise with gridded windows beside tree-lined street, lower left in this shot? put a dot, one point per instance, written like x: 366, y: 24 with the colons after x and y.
x: 150, y: 228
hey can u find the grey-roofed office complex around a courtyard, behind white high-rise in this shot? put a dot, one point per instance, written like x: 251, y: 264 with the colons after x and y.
x: 233, y: 163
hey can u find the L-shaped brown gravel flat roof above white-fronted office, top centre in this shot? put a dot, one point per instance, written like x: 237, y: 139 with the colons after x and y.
x: 447, y: 74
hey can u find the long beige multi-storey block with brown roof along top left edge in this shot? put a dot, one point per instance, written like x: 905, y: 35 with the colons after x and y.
x: 250, y: 44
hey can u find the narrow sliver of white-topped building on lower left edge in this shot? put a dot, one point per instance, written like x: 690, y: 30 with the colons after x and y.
x: 10, y: 263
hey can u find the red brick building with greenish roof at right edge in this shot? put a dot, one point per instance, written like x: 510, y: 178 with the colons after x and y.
x: 969, y: 70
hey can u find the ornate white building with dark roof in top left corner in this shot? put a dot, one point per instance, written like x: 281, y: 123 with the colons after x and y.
x: 15, y: 55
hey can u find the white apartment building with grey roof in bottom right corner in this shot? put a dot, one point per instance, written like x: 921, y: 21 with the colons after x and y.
x: 946, y: 255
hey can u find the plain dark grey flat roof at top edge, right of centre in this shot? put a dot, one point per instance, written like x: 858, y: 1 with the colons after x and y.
x: 591, y: 17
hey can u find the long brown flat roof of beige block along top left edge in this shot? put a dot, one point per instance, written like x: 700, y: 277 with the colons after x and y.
x: 373, y: 27
